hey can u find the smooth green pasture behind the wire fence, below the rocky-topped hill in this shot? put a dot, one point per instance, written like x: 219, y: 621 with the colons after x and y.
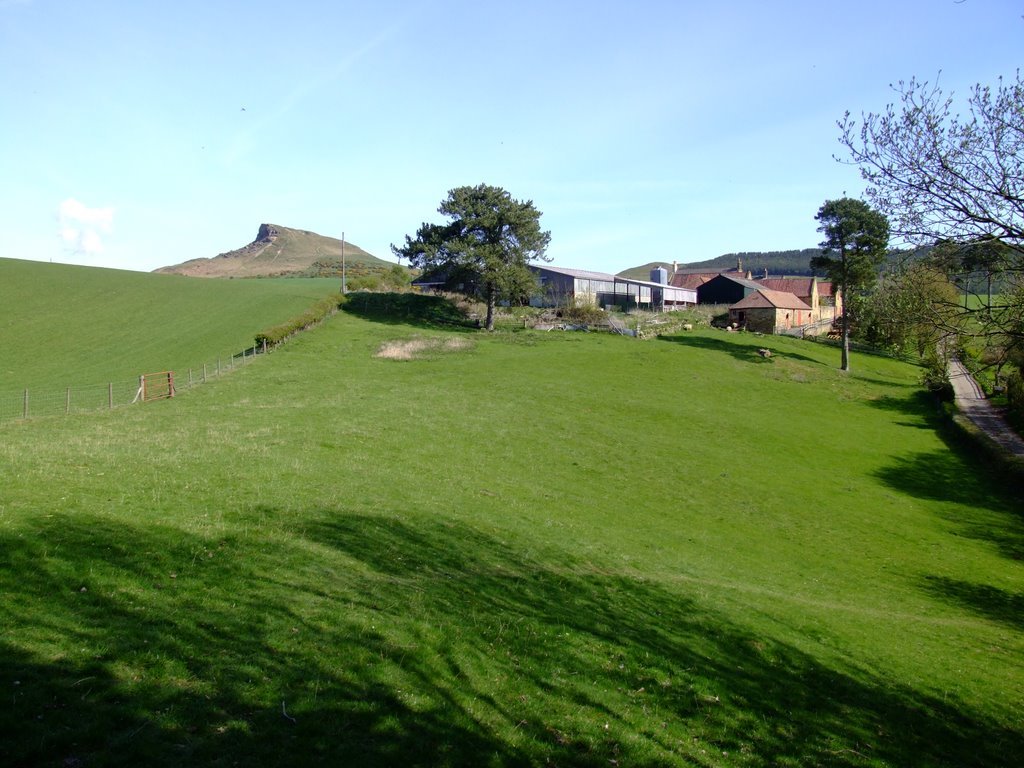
x: 66, y: 326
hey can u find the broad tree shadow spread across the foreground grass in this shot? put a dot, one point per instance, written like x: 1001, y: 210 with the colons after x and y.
x: 372, y: 641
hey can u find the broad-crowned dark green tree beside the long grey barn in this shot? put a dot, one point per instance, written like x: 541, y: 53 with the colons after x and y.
x: 489, y: 236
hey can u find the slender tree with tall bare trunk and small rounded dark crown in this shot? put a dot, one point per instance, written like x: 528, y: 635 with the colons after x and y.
x: 857, y: 239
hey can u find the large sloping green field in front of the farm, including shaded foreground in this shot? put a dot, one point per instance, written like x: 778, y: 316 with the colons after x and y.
x: 513, y: 550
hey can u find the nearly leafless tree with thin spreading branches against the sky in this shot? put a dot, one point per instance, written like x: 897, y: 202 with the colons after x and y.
x: 957, y: 180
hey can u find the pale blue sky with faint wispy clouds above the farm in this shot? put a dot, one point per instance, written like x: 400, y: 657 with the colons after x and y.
x: 140, y: 135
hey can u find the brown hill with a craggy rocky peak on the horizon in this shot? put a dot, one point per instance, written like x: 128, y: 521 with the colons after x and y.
x: 280, y: 251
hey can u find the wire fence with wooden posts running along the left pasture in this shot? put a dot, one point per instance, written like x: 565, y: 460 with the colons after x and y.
x: 44, y: 402
